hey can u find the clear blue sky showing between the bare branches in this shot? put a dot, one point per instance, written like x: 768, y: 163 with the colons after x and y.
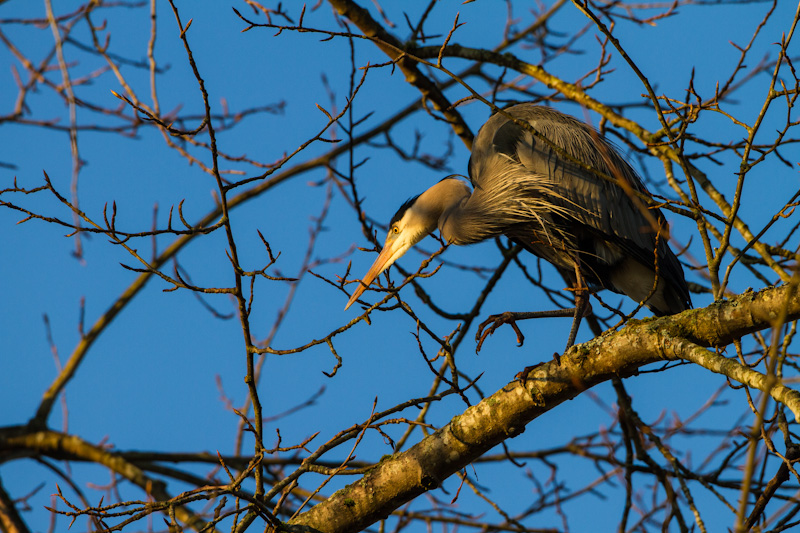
x: 151, y: 380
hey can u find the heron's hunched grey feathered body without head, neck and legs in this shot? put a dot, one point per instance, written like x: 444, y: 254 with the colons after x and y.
x: 566, y: 195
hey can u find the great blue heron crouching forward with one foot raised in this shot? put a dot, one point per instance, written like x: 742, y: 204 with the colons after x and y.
x: 562, y: 192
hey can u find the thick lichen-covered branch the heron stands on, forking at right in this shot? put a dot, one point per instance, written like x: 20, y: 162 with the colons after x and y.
x: 400, y: 478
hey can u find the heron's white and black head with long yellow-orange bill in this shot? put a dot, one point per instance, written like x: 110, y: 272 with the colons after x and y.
x: 415, y: 219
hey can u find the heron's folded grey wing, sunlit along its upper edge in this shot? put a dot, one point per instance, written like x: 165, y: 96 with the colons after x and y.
x: 550, y: 179
